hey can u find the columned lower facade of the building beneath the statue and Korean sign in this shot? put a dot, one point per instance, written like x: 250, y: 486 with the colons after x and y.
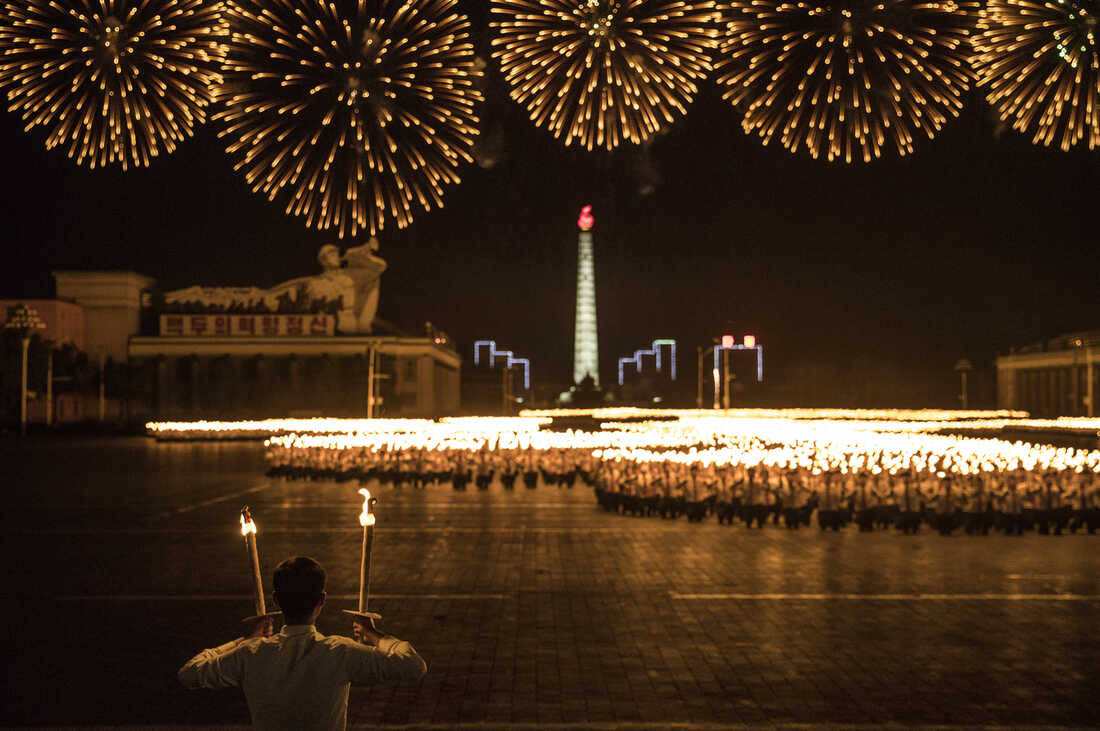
x: 256, y: 376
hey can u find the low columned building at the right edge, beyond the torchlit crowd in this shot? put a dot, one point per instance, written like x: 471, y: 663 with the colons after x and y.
x: 1059, y: 378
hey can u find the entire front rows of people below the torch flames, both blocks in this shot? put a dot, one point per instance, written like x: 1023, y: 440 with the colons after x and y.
x: 871, y: 497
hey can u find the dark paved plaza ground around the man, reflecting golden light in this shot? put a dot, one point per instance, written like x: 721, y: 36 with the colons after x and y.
x: 123, y: 559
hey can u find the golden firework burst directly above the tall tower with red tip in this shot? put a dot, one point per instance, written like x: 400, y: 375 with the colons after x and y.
x: 603, y: 72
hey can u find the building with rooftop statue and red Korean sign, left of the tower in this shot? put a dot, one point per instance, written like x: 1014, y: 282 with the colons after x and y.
x: 302, y: 348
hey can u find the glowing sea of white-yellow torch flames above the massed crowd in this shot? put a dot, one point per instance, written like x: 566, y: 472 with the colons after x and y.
x: 819, y: 441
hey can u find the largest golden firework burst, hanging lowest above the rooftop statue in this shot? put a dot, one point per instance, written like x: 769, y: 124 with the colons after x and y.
x: 356, y: 109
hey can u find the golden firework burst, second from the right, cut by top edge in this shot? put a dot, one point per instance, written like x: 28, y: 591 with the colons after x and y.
x: 844, y: 80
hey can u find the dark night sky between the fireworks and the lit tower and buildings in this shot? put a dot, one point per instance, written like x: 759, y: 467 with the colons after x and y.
x: 978, y: 242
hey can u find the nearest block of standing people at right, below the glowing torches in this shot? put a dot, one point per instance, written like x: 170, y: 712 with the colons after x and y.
x: 1014, y: 503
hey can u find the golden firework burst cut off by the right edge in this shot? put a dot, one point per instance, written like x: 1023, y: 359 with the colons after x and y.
x: 1040, y: 64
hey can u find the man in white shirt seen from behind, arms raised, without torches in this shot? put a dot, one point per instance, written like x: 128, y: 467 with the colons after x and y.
x: 300, y: 679
